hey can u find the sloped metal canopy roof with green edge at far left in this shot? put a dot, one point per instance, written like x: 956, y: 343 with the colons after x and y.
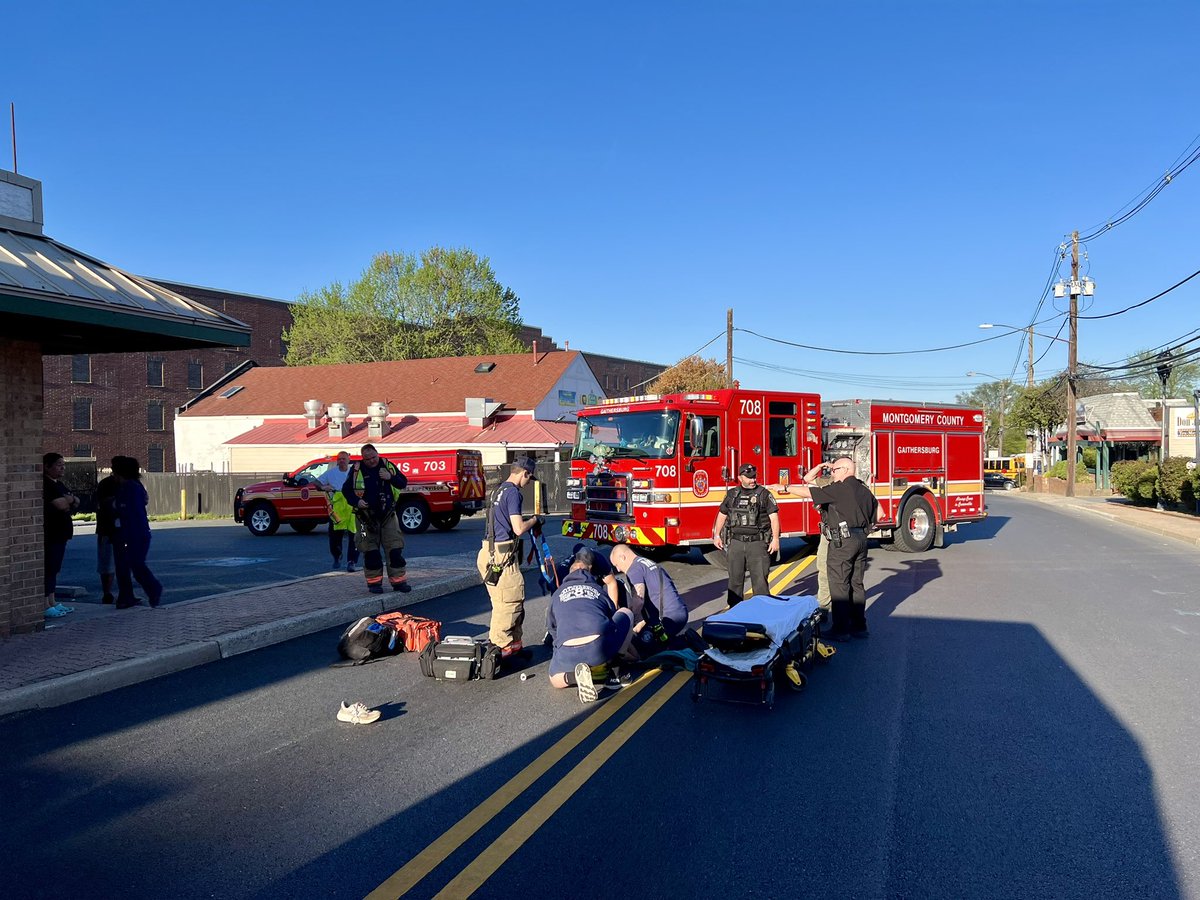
x: 70, y: 303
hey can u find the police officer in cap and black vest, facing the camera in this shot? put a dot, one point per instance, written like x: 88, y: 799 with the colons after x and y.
x: 753, y: 518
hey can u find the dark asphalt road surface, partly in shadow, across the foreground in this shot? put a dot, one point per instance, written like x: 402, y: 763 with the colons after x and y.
x: 1021, y: 724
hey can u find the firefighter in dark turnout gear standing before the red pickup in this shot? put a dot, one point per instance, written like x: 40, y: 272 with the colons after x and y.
x: 371, y: 488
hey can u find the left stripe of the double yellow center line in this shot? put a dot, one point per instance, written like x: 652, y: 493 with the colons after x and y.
x: 425, y: 862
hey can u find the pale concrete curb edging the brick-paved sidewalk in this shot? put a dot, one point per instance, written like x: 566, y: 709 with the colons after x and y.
x: 94, y: 682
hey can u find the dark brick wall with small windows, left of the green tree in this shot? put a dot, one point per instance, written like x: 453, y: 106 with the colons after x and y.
x: 121, y: 397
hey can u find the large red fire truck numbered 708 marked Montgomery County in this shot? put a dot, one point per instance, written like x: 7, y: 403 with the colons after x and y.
x: 652, y: 471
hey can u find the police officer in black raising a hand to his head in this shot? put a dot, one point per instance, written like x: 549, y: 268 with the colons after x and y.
x: 849, y: 513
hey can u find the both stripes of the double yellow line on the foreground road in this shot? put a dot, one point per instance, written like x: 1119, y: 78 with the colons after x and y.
x: 494, y: 857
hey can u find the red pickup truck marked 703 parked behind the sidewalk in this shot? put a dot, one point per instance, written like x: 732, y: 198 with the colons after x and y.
x: 443, y: 487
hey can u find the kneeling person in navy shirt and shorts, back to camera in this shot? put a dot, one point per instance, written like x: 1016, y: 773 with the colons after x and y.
x: 589, y: 632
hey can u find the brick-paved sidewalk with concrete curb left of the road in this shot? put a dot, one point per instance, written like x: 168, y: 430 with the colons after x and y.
x: 99, y: 649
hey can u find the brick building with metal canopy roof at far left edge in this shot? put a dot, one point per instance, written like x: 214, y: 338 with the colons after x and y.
x: 58, y: 302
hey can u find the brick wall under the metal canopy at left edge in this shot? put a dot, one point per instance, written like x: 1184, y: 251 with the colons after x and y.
x: 21, y: 489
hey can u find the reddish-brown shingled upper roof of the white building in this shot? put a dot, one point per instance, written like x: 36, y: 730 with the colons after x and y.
x: 418, y: 386
